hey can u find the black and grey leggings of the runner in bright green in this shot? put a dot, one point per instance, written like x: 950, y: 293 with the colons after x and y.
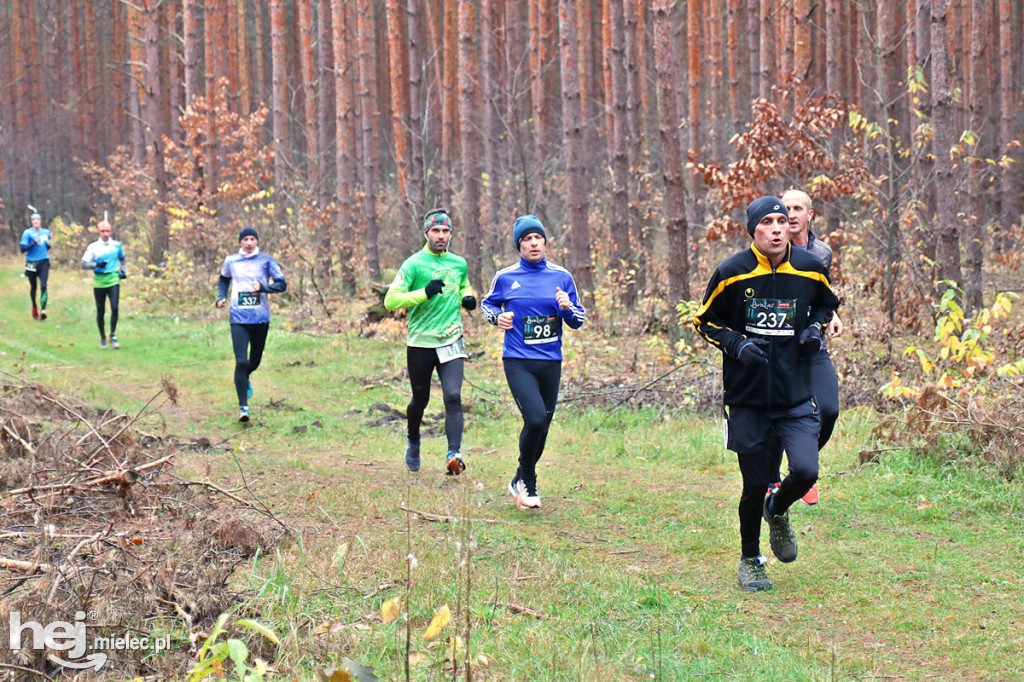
x: 421, y: 368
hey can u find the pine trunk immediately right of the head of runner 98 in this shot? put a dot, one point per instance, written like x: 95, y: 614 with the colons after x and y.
x: 573, y: 127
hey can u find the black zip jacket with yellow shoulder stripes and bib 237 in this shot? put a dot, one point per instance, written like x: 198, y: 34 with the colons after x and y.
x: 746, y: 299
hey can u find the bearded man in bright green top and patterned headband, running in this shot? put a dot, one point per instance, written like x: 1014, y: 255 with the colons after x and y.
x: 434, y: 284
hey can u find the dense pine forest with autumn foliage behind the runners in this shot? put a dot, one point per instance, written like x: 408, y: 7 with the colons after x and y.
x: 636, y: 130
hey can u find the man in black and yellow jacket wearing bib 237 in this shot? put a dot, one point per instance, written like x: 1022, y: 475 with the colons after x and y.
x: 765, y: 308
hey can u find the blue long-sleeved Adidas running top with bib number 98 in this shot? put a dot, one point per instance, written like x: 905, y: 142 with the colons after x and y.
x: 529, y: 291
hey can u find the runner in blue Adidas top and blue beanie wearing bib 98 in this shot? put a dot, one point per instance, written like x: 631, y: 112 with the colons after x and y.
x: 530, y: 302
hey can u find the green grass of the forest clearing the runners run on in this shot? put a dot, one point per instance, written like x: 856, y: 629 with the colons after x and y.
x: 909, y: 569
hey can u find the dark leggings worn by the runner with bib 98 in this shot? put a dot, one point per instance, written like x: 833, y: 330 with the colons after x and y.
x: 535, y: 388
